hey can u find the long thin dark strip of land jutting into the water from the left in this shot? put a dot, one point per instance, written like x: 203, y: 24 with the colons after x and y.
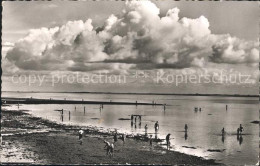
x: 11, y: 100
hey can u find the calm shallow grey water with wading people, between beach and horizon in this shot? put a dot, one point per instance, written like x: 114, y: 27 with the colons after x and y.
x: 204, y: 128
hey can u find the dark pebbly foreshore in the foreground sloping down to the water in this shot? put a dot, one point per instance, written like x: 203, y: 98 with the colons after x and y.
x: 61, y: 145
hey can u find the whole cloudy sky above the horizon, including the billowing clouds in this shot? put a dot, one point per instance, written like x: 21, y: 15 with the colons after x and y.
x: 115, y: 37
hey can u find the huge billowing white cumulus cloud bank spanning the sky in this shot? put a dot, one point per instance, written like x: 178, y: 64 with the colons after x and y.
x: 138, y: 39
